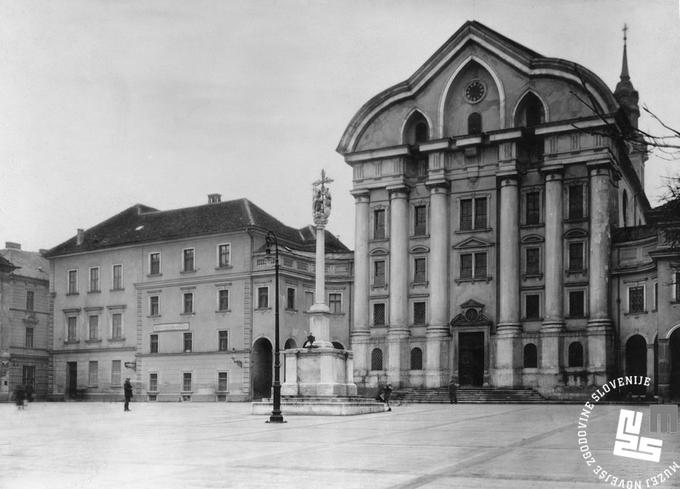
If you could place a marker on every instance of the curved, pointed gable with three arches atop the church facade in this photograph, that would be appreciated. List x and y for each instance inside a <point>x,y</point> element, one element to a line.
<point>507,69</point>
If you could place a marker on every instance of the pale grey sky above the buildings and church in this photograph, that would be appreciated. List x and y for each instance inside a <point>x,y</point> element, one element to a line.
<point>105,104</point>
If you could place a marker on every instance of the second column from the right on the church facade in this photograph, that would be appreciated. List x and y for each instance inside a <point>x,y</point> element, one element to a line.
<point>553,323</point>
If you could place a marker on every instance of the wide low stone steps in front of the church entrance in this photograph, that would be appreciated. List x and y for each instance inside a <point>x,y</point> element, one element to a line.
<point>470,395</point>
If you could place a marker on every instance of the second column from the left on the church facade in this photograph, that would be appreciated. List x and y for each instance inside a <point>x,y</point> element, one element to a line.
<point>399,268</point>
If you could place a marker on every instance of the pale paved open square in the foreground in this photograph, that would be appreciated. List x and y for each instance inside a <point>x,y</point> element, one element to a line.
<point>217,445</point>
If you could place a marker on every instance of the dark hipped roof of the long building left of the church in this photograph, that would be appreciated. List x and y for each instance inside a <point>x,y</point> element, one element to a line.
<point>142,224</point>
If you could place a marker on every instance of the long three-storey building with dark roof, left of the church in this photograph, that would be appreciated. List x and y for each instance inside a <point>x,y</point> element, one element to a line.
<point>182,302</point>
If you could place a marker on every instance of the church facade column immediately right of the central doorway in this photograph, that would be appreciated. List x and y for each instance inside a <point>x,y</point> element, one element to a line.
<point>509,329</point>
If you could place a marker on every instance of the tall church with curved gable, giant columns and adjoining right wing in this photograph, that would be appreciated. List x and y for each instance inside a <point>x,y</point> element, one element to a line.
<point>503,236</point>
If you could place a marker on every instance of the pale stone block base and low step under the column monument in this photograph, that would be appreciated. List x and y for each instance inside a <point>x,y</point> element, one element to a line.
<point>319,381</point>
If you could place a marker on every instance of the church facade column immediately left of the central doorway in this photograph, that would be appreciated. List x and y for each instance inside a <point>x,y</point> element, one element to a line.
<point>438,327</point>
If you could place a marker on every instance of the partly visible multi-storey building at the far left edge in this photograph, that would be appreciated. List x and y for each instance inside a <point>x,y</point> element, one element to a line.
<point>24,319</point>
